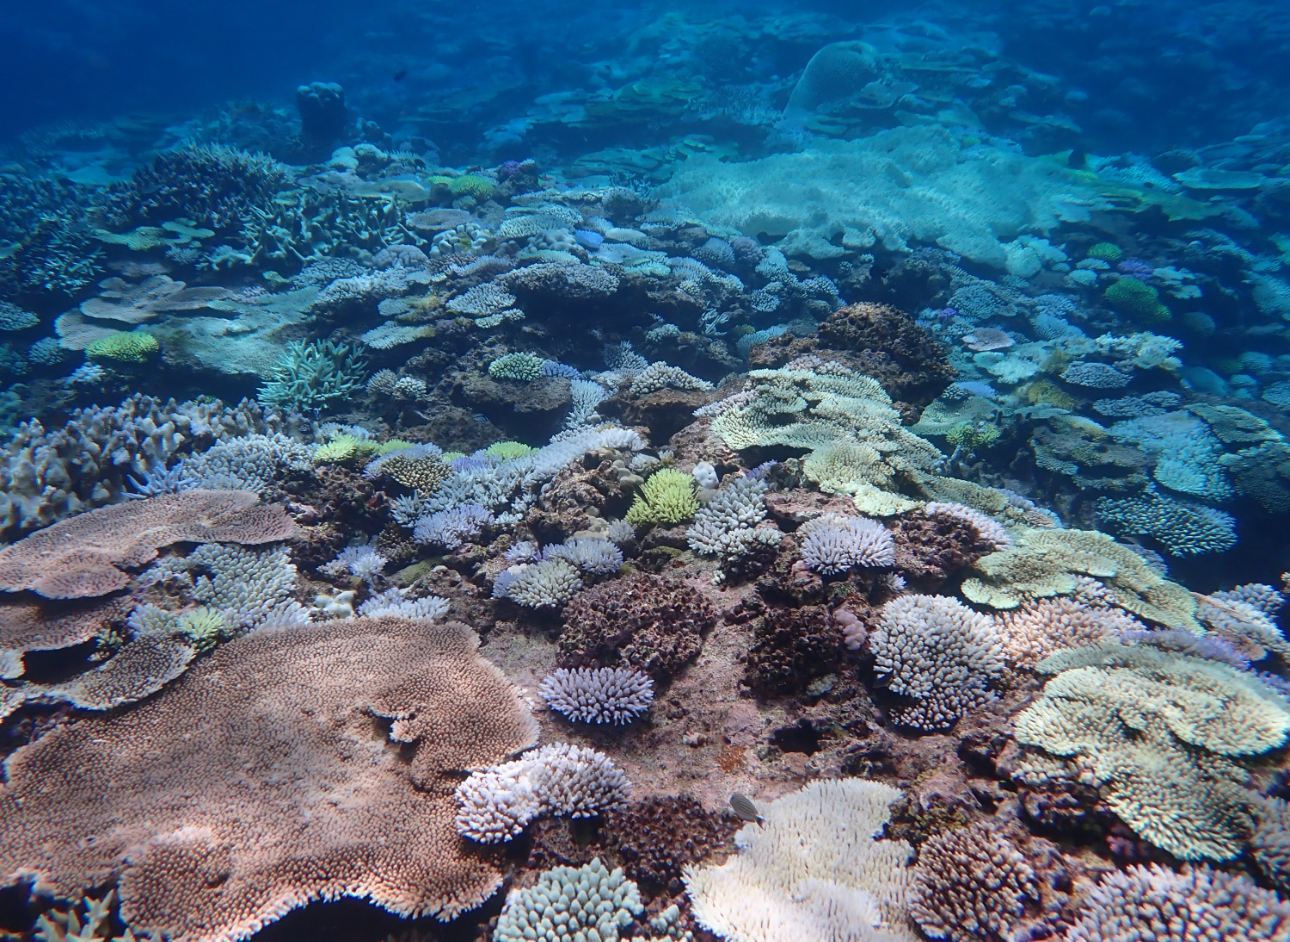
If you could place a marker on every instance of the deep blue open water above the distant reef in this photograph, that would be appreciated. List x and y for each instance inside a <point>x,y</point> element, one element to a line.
<point>1144,74</point>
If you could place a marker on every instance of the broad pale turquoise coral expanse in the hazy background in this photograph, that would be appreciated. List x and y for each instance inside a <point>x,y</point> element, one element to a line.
<point>896,188</point>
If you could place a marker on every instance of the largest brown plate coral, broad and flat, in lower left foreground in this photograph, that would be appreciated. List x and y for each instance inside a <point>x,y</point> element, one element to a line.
<point>300,801</point>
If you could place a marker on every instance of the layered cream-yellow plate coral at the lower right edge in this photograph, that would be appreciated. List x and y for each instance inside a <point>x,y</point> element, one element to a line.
<point>1164,735</point>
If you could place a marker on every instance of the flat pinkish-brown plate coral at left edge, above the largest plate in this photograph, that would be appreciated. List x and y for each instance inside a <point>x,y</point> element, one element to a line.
<point>87,556</point>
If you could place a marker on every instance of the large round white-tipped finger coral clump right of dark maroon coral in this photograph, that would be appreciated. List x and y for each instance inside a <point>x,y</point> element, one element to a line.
<point>938,654</point>
